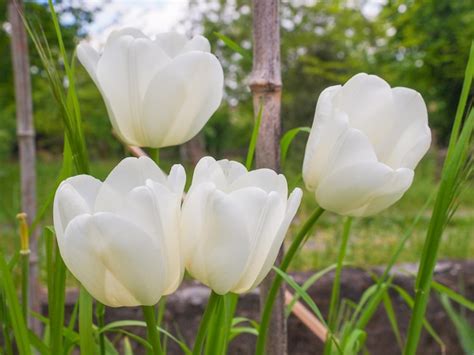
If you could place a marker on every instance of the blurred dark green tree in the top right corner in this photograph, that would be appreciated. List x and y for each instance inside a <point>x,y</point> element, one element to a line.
<point>426,46</point>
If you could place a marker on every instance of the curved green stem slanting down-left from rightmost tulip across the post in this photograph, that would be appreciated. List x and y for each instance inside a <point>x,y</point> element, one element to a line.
<point>267,311</point>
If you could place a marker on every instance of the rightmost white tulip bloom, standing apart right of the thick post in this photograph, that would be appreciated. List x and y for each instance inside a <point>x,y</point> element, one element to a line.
<point>365,143</point>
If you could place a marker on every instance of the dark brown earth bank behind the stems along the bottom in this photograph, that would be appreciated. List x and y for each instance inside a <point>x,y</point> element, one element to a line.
<point>185,307</point>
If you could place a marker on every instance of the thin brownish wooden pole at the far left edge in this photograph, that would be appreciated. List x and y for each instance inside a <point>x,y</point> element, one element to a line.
<point>26,141</point>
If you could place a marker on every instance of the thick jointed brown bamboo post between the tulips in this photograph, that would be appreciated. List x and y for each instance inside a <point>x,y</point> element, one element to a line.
<point>265,83</point>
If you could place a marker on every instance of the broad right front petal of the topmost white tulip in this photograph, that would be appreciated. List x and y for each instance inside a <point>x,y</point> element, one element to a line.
<point>181,98</point>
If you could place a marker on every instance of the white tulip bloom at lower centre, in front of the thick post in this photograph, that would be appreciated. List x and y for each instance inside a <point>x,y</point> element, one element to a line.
<point>234,223</point>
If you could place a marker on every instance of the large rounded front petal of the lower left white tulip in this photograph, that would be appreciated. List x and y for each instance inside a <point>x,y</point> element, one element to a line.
<point>115,268</point>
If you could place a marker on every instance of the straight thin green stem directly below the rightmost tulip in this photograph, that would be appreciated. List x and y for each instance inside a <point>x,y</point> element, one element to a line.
<point>336,287</point>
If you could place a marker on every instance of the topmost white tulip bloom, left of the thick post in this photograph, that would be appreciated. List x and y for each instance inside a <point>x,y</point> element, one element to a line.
<point>158,92</point>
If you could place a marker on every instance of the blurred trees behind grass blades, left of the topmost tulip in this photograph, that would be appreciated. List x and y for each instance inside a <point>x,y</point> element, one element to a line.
<point>74,19</point>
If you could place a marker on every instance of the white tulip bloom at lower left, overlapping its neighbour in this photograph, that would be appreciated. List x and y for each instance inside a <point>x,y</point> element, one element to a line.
<point>119,237</point>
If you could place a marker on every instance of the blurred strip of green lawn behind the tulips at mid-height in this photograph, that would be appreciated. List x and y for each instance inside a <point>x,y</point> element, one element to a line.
<point>372,241</point>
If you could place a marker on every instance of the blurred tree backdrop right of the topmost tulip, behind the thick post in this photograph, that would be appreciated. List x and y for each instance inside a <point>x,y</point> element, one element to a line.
<point>419,44</point>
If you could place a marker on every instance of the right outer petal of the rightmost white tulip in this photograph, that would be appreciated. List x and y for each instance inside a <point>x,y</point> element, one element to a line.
<point>411,135</point>
